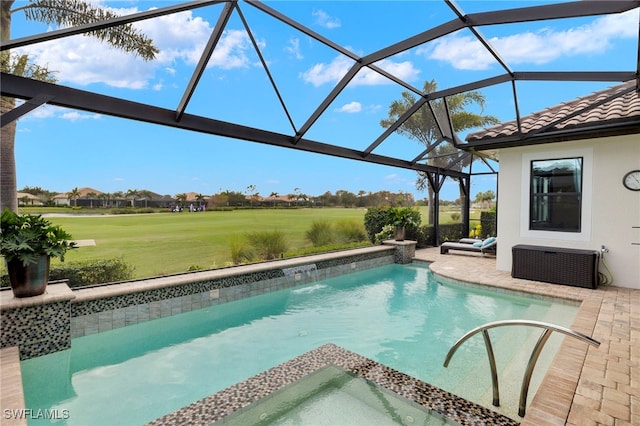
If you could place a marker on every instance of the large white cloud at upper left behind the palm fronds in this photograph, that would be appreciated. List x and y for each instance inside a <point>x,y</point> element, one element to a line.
<point>180,37</point>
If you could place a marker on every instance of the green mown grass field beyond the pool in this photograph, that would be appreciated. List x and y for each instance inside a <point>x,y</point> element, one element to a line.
<point>166,243</point>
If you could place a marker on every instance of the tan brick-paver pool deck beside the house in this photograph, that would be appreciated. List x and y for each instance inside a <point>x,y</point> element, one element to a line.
<point>585,385</point>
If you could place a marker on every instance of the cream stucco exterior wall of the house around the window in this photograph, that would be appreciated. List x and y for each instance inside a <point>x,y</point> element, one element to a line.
<point>610,212</point>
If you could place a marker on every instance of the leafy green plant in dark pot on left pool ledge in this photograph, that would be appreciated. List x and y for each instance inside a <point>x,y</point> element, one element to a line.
<point>27,244</point>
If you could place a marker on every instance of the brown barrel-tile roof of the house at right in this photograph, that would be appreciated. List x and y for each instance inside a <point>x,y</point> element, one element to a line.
<point>615,110</point>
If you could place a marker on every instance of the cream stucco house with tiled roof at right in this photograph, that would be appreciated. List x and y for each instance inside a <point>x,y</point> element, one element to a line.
<point>561,179</point>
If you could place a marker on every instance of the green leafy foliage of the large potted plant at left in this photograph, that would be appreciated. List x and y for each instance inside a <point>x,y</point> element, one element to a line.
<point>27,237</point>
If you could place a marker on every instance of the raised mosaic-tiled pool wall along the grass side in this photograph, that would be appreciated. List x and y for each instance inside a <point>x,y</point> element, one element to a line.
<point>58,321</point>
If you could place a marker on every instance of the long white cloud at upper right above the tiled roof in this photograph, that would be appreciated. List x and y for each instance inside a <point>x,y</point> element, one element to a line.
<point>538,47</point>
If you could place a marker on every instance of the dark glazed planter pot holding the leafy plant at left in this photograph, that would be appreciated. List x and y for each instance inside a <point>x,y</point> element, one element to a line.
<point>30,280</point>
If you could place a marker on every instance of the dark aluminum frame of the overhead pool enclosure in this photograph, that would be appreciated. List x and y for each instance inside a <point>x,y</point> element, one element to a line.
<point>37,93</point>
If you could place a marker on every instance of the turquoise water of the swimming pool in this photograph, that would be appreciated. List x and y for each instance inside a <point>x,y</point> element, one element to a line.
<point>397,315</point>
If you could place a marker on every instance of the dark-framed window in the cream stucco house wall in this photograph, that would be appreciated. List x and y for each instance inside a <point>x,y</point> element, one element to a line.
<point>556,195</point>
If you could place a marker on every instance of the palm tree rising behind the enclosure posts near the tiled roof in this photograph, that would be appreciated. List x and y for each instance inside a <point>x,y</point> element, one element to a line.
<point>422,127</point>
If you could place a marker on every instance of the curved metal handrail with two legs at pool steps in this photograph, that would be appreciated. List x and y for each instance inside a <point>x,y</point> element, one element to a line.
<point>548,329</point>
